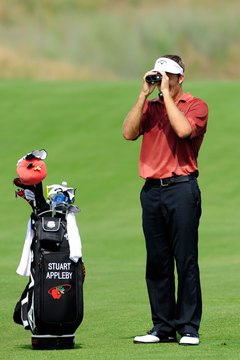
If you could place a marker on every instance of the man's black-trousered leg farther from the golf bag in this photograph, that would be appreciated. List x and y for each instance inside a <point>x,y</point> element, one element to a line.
<point>184,209</point>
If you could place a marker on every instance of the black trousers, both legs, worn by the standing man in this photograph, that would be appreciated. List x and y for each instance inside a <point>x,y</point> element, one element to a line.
<point>170,219</point>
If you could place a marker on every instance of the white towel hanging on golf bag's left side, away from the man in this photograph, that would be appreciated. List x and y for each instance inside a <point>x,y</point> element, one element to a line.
<point>25,262</point>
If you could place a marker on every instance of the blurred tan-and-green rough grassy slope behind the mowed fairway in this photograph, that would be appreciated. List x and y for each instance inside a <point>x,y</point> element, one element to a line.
<point>105,39</point>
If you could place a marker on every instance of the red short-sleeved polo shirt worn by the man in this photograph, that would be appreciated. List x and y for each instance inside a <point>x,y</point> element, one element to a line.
<point>163,154</point>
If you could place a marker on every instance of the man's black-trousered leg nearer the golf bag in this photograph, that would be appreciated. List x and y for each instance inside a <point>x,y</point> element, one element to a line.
<point>160,262</point>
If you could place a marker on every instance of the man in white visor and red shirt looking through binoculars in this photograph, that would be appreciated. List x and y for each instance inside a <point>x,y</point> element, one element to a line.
<point>172,129</point>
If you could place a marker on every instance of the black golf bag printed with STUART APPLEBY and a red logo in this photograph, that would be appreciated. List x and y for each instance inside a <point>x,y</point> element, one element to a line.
<point>51,306</point>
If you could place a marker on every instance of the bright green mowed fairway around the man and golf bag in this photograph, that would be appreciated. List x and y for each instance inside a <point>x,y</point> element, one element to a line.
<point>79,124</point>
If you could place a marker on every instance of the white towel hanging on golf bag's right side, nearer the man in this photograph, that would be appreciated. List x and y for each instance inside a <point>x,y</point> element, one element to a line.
<point>74,238</point>
